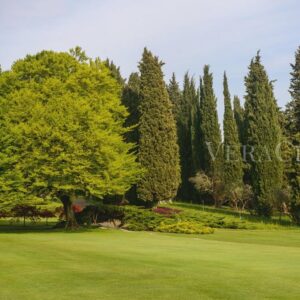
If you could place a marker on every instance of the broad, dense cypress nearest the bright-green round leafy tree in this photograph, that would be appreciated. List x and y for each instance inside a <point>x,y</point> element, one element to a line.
<point>158,148</point>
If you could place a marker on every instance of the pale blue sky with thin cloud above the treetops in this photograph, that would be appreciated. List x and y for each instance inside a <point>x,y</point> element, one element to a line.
<point>185,34</point>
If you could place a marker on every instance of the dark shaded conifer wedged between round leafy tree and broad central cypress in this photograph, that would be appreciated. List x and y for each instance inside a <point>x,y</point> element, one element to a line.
<point>131,100</point>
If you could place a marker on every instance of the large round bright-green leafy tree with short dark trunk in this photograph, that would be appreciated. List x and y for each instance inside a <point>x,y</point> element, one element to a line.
<point>62,131</point>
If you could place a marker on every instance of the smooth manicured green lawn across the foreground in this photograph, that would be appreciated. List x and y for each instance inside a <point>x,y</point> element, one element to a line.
<point>114,264</point>
